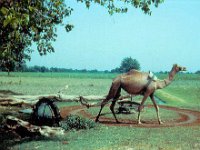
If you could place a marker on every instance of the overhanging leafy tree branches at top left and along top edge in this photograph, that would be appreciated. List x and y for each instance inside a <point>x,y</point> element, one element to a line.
<point>25,22</point>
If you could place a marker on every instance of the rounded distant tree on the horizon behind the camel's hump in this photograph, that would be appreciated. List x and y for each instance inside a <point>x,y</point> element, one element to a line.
<point>127,64</point>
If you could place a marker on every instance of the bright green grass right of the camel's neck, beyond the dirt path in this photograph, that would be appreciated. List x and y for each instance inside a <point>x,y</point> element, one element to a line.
<point>183,92</point>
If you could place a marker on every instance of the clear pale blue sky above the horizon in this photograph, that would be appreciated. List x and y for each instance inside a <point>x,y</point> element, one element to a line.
<point>100,41</point>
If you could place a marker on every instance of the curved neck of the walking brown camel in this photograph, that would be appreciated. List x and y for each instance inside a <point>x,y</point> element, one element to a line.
<point>163,83</point>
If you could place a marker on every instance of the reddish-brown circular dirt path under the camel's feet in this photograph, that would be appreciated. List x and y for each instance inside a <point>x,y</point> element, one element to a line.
<point>186,118</point>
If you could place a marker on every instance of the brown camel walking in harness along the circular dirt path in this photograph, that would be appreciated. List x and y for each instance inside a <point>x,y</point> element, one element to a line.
<point>138,83</point>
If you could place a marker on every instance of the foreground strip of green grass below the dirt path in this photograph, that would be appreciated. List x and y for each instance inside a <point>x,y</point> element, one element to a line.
<point>107,138</point>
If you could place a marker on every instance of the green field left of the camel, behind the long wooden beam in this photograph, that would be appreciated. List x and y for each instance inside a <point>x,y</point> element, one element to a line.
<point>45,84</point>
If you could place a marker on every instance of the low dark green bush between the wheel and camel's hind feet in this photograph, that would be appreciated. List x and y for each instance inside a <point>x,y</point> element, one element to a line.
<point>77,122</point>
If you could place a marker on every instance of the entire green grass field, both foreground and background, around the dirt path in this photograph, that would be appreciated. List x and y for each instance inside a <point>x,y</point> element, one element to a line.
<point>184,92</point>
